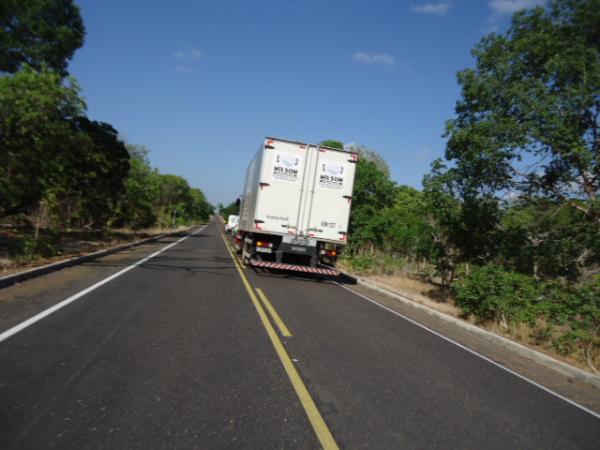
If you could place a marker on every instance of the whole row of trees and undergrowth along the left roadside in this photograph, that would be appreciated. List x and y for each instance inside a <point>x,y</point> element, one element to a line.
<point>63,174</point>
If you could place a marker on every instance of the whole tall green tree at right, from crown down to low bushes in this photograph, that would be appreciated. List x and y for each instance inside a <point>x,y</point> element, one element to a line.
<point>526,127</point>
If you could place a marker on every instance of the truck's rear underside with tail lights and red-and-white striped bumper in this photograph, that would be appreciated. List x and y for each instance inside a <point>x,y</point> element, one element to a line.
<point>288,253</point>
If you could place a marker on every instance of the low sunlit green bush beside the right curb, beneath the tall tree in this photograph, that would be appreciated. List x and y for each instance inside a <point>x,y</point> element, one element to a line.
<point>571,312</point>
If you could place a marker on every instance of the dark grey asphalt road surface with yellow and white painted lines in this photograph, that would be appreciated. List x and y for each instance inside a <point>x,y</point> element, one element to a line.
<point>182,351</point>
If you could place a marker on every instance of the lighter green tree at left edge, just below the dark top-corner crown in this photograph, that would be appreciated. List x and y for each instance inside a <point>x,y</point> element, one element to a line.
<point>37,112</point>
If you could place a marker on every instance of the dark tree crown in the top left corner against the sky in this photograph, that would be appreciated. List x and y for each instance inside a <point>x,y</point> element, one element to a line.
<point>39,33</point>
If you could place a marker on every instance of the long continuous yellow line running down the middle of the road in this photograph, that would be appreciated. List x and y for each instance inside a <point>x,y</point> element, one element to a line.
<point>310,408</point>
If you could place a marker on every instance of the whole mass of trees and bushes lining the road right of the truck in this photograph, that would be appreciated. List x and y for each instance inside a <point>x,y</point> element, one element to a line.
<point>508,225</point>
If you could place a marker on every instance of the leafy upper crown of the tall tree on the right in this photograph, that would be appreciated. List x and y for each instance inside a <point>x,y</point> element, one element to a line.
<point>528,118</point>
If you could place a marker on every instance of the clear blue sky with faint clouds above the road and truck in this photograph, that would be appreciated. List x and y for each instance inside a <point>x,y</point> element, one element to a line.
<point>200,83</point>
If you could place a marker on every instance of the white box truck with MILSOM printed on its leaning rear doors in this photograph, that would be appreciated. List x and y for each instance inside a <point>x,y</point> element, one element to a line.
<point>295,207</point>
